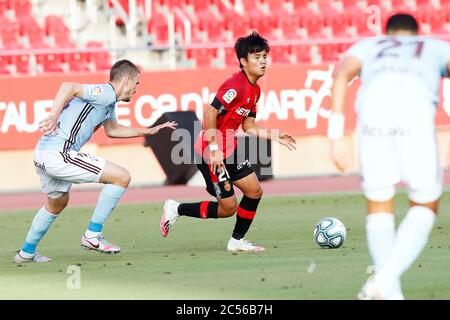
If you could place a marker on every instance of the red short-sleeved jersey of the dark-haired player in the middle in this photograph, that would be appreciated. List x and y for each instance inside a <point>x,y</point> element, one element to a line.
<point>235,100</point>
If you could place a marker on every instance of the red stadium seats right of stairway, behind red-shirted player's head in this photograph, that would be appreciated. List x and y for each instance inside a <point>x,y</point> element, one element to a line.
<point>285,20</point>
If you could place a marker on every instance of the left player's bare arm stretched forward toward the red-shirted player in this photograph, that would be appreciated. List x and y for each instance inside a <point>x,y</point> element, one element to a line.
<point>115,130</point>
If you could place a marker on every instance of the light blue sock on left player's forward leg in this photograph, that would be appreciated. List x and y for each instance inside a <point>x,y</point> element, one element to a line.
<point>107,201</point>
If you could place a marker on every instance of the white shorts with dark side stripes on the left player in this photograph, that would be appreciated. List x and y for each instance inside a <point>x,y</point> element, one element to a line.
<point>58,170</point>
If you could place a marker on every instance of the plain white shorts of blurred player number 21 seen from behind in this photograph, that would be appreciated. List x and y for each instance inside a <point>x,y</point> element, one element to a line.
<point>391,155</point>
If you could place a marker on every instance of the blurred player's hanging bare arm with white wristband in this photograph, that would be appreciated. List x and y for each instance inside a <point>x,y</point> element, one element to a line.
<point>348,69</point>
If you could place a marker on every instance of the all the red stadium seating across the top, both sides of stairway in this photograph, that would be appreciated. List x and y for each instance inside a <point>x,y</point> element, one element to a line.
<point>207,28</point>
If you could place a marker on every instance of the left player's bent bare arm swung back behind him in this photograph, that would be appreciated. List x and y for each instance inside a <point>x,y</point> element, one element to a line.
<point>66,91</point>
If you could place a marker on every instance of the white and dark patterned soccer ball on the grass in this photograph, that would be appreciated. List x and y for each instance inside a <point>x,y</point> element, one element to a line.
<point>329,233</point>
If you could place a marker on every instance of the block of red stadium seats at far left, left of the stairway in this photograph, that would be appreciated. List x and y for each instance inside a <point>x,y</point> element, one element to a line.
<point>20,31</point>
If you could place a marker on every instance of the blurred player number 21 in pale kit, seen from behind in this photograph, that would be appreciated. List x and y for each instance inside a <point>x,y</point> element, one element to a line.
<point>396,103</point>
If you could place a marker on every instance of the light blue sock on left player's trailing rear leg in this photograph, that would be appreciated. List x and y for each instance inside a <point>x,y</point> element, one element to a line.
<point>41,223</point>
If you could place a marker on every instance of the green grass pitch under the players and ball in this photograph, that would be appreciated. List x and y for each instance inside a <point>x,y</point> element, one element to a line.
<point>192,263</point>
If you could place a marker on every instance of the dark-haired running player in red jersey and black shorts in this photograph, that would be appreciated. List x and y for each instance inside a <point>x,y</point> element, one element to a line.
<point>221,165</point>
